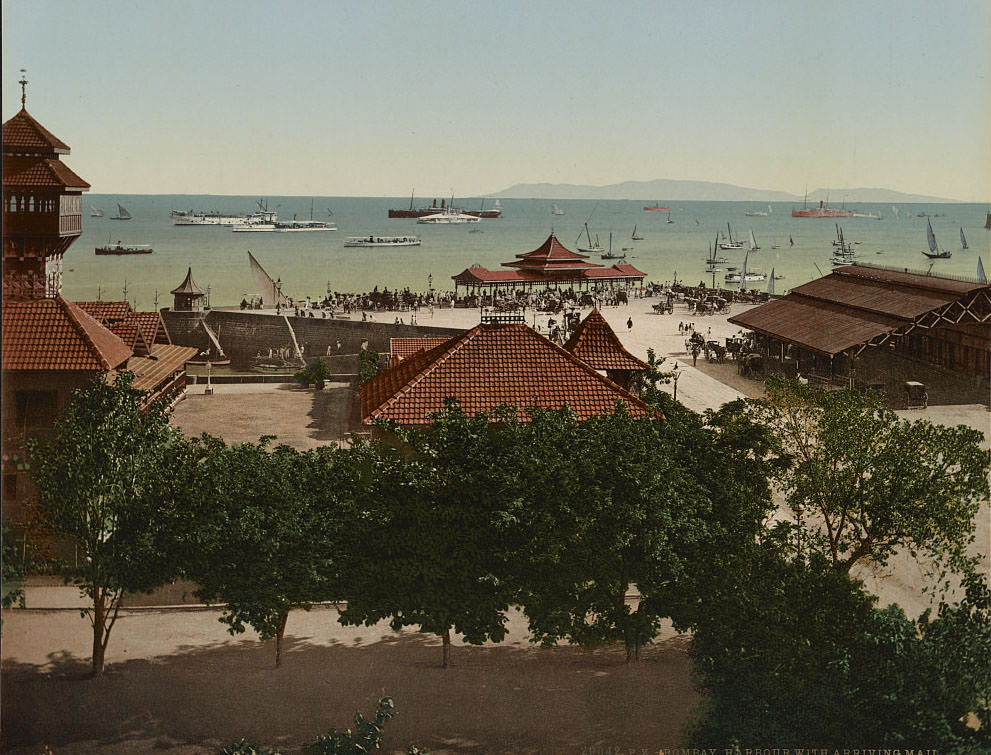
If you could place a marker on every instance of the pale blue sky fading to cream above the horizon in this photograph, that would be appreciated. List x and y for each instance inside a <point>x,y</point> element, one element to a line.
<point>384,98</point>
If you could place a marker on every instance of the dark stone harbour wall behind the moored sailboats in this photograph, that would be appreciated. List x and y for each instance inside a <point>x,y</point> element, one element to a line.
<point>243,335</point>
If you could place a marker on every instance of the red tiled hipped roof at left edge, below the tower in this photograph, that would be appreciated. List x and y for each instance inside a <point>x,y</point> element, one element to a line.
<point>55,334</point>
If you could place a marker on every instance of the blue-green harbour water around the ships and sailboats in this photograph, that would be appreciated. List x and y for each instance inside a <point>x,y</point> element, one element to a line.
<point>675,244</point>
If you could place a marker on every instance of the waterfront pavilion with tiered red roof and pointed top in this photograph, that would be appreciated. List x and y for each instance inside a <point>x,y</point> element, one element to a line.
<point>550,264</point>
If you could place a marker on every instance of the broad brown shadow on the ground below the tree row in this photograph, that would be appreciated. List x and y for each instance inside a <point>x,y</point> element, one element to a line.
<point>495,699</point>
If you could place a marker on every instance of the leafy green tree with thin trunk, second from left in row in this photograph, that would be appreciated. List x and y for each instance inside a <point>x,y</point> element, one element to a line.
<point>259,538</point>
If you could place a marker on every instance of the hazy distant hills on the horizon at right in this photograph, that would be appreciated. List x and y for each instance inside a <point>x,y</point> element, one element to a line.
<point>663,189</point>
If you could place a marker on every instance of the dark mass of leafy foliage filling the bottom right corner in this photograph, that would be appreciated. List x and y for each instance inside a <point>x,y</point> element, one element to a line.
<point>793,652</point>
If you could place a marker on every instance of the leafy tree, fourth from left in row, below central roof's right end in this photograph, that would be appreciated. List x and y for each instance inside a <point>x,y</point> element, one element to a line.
<point>611,511</point>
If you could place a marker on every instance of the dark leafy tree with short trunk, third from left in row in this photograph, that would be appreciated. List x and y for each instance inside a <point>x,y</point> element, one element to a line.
<point>430,532</point>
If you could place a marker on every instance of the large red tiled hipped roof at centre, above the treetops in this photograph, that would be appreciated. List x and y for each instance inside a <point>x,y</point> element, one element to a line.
<point>488,366</point>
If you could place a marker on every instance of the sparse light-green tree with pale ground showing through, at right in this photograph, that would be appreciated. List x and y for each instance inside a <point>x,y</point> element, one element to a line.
<point>863,484</point>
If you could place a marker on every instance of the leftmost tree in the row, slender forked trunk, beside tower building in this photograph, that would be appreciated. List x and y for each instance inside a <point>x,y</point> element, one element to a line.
<point>104,482</point>
